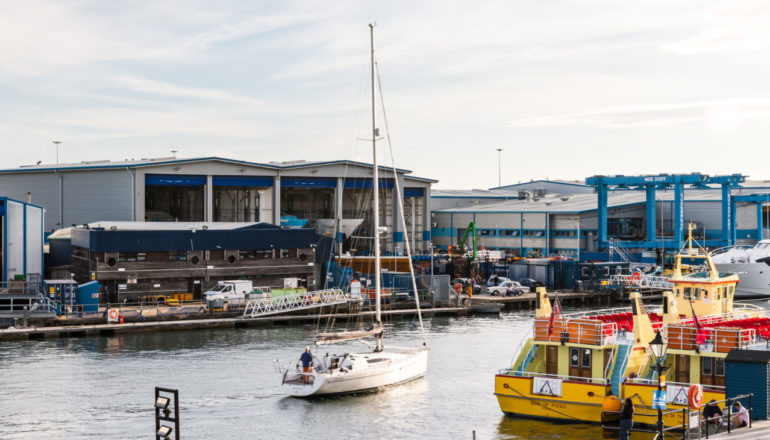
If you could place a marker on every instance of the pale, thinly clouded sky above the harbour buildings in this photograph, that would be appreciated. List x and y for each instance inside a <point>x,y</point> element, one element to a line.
<point>567,89</point>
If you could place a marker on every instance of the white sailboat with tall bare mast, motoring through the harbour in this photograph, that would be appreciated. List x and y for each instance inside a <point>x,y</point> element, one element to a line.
<point>380,367</point>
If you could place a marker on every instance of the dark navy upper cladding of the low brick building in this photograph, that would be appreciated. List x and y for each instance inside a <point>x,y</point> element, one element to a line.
<point>157,241</point>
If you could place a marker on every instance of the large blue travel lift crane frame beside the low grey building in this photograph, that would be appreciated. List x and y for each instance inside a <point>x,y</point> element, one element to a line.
<point>652,183</point>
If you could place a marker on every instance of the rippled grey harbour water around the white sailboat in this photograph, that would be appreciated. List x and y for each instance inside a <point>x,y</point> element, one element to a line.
<point>103,387</point>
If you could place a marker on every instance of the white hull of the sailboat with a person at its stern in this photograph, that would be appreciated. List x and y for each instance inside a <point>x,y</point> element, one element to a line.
<point>360,372</point>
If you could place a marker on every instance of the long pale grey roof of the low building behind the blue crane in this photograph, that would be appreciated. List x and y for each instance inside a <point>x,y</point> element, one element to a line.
<point>588,202</point>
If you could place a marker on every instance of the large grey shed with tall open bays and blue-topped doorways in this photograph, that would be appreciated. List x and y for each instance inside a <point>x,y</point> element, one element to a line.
<point>214,189</point>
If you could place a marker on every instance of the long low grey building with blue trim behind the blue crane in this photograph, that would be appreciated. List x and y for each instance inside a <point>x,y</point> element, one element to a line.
<point>549,223</point>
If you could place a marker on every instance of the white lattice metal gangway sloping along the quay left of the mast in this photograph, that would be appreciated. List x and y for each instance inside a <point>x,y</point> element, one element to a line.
<point>289,303</point>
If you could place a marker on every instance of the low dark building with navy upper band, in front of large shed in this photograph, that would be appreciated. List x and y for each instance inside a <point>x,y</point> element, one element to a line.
<point>134,260</point>
